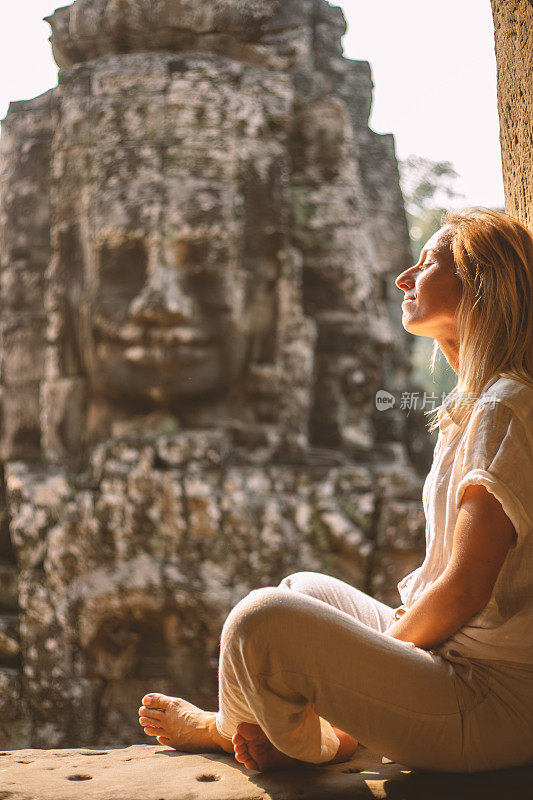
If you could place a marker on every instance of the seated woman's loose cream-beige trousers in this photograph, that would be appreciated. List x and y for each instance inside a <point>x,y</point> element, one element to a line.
<point>312,653</point>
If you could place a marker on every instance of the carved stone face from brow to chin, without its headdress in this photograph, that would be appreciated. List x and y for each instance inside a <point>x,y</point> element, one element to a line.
<point>160,317</point>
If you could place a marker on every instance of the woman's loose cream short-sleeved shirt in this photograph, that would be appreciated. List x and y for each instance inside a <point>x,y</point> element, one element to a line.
<point>495,449</point>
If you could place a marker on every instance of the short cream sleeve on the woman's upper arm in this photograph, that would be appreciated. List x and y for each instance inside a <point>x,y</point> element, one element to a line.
<point>498,454</point>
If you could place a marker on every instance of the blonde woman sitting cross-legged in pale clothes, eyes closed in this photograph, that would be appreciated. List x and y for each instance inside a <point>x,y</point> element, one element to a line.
<point>445,681</point>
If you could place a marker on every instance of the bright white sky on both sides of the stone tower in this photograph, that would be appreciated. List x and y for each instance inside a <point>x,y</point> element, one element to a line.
<point>433,67</point>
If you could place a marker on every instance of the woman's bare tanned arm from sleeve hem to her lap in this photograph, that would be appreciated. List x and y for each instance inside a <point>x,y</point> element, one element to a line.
<point>482,537</point>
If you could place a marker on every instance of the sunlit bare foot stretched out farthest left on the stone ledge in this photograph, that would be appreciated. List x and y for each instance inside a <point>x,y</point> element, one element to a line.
<point>177,723</point>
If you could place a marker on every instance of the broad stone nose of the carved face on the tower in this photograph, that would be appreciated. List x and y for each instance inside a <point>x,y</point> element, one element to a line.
<point>162,303</point>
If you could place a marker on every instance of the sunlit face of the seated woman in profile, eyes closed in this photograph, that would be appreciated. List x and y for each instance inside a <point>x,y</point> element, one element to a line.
<point>432,290</point>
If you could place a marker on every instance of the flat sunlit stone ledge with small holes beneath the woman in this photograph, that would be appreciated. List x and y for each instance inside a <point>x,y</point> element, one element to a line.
<point>144,772</point>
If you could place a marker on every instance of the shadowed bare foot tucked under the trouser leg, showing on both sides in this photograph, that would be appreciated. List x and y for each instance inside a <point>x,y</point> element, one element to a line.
<point>255,751</point>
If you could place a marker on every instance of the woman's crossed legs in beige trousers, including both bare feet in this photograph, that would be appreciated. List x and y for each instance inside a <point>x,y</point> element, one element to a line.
<point>297,660</point>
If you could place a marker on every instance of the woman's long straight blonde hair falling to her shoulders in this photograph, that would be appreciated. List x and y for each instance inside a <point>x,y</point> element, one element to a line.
<point>493,256</point>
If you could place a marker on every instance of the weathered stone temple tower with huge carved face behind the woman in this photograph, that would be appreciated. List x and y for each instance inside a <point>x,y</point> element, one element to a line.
<point>199,239</point>
